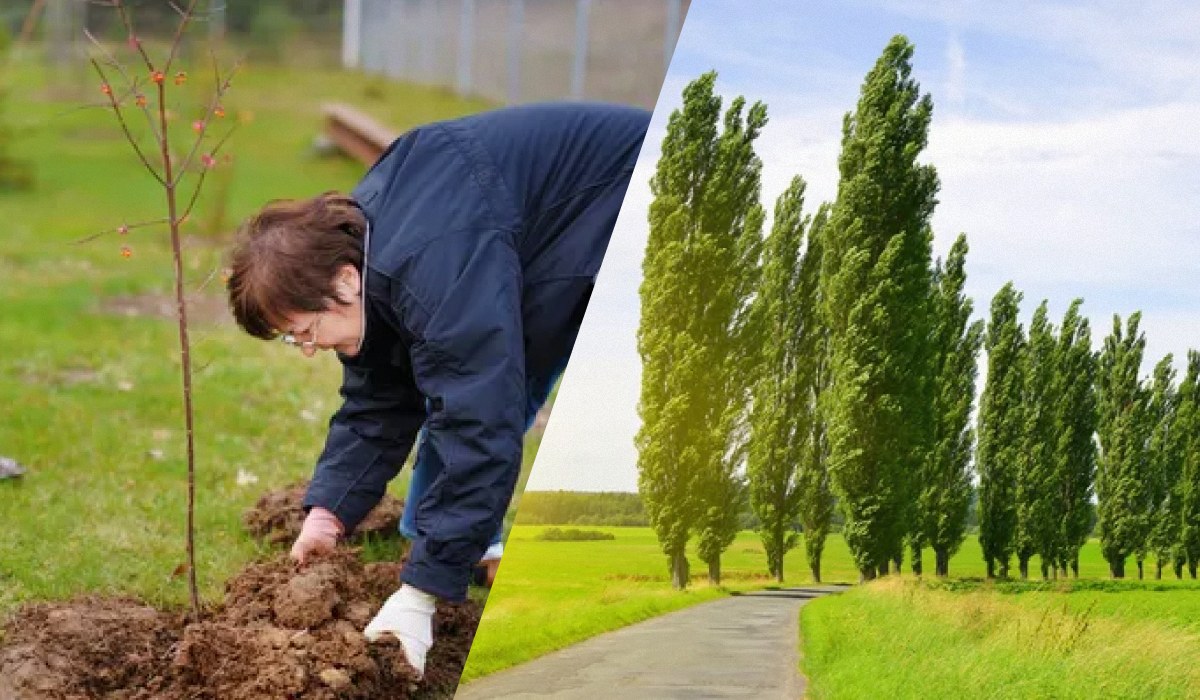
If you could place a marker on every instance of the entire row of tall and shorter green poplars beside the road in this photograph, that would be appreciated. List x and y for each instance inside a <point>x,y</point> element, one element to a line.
<point>832,364</point>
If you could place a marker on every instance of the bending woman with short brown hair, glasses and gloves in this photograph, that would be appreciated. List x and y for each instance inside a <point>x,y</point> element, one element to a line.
<point>452,284</point>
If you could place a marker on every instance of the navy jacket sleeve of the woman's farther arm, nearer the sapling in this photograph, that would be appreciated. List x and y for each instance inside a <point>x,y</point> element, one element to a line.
<point>369,440</point>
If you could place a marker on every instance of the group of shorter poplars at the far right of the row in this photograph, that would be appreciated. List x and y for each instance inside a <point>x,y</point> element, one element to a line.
<point>1060,424</point>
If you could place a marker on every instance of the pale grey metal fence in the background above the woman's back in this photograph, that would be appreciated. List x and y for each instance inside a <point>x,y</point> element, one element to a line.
<point>519,51</point>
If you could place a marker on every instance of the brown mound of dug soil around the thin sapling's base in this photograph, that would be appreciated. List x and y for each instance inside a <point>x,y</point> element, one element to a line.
<point>281,635</point>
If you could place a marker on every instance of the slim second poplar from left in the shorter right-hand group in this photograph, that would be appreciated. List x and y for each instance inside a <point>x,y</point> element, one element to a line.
<point>1036,504</point>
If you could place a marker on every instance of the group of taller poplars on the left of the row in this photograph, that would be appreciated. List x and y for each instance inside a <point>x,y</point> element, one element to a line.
<point>832,360</point>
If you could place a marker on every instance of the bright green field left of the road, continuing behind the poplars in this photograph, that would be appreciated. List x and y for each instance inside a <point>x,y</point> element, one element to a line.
<point>551,595</point>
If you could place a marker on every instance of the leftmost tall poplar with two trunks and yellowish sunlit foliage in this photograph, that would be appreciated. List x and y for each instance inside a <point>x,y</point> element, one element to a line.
<point>700,273</point>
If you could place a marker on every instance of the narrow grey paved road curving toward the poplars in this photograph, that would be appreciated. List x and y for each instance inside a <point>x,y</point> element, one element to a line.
<point>745,647</point>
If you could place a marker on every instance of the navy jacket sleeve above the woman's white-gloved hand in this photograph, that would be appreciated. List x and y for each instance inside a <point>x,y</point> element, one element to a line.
<point>463,301</point>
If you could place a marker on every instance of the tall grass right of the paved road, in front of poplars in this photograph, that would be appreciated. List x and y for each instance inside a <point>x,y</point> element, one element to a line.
<point>1095,639</point>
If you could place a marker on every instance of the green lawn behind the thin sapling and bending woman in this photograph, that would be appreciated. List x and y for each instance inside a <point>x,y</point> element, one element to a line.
<point>91,398</point>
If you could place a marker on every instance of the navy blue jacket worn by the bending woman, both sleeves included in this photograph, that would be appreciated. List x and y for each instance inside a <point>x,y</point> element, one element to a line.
<point>485,238</point>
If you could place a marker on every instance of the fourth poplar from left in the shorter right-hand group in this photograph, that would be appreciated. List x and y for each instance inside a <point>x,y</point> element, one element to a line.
<point>1123,480</point>
